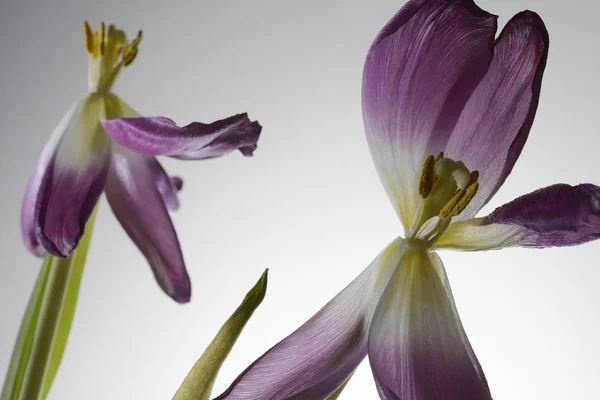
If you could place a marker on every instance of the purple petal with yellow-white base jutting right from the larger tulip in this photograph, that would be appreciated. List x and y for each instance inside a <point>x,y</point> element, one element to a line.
<point>557,215</point>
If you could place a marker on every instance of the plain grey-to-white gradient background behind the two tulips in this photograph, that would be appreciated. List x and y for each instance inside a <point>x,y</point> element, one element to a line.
<point>308,206</point>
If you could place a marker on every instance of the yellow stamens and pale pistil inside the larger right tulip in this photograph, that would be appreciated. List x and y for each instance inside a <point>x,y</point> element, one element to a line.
<point>446,188</point>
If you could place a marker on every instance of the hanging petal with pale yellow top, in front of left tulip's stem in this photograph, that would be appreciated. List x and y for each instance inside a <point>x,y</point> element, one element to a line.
<point>73,180</point>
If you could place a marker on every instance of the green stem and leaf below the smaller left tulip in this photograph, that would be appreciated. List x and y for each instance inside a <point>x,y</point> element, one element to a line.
<point>46,324</point>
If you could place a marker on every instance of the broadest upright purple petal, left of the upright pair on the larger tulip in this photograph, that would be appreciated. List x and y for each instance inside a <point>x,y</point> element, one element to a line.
<point>418,75</point>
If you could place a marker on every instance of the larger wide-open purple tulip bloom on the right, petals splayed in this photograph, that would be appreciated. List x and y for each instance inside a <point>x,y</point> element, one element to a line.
<point>447,109</point>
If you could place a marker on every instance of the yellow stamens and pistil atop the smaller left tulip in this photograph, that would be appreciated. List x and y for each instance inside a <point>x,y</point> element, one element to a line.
<point>108,51</point>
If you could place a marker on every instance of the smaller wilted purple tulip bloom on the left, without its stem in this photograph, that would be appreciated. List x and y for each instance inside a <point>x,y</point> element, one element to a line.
<point>81,161</point>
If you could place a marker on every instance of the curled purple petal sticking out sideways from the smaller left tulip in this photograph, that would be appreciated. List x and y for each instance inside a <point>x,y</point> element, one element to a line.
<point>161,136</point>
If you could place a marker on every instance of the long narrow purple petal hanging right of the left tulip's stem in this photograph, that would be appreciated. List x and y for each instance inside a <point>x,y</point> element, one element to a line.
<point>138,205</point>
